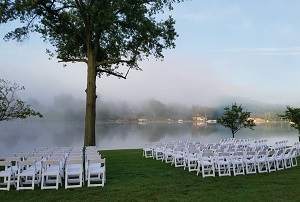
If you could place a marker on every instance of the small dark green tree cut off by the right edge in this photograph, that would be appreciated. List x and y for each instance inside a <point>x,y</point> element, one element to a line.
<point>293,115</point>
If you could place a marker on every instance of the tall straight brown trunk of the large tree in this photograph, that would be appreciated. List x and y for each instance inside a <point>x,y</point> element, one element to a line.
<point>90,112</point>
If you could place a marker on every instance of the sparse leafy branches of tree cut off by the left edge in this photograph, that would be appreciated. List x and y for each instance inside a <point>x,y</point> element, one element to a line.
<point>10,106</point>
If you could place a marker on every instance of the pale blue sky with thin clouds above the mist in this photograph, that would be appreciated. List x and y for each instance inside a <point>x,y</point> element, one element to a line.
<point>225,48</point>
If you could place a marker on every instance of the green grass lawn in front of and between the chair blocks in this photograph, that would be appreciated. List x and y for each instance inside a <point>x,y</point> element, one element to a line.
<point>130,177</point>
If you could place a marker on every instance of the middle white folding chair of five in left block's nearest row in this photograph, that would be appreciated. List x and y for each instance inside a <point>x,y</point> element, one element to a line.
<point>51,174</point>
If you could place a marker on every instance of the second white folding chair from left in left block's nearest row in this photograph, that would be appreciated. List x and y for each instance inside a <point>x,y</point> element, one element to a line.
<point>27,174</point>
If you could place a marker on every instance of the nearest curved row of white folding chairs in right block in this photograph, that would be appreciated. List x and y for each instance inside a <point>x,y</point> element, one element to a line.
<point>241,162</point>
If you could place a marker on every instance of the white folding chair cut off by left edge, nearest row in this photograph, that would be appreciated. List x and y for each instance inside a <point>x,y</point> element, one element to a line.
<point>7,175</point>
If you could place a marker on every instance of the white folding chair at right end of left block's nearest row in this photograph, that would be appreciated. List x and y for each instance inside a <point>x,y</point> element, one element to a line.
<point>96,172</point>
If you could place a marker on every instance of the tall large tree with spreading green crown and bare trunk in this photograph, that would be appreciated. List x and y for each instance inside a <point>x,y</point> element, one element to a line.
<point>111,37</point>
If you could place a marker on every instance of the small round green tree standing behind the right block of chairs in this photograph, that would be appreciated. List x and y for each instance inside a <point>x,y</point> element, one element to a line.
<point>235,118</point>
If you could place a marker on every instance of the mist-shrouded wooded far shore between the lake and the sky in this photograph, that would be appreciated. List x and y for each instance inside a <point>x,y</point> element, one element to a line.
<point>66,107</point>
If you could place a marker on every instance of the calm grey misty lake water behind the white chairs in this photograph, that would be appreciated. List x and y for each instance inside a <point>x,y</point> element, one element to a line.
<point>19,136</point>
